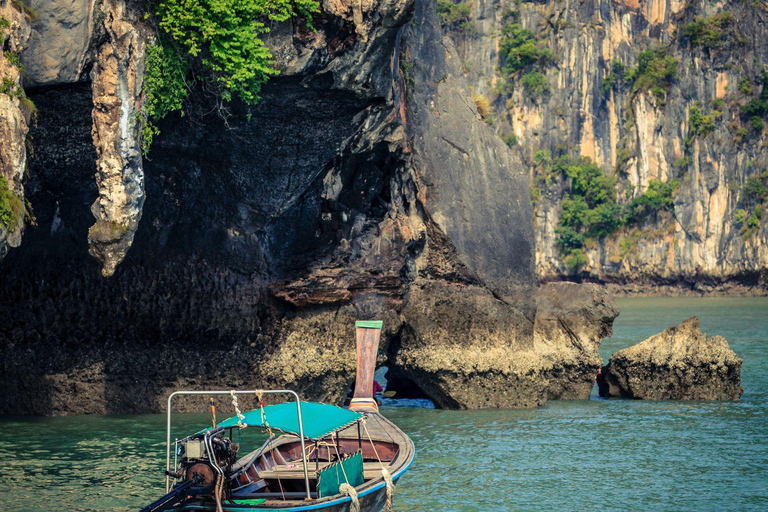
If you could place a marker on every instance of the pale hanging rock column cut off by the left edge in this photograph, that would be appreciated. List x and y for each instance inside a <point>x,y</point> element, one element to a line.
<point>15,116</point>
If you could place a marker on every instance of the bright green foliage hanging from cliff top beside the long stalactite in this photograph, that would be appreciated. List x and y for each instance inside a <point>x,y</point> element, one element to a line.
<point>218,43</point>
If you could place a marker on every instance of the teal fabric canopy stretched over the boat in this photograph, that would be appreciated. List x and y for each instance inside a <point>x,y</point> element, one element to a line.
<point>319,420</point>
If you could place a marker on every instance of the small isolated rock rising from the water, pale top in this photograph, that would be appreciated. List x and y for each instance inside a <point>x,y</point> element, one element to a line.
<point>680,363</point>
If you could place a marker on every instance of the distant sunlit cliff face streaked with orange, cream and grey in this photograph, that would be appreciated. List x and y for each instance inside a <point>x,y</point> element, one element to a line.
<point>699,246</point>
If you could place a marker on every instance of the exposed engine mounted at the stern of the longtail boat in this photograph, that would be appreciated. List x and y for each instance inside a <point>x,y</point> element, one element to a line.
<point>207,456</point>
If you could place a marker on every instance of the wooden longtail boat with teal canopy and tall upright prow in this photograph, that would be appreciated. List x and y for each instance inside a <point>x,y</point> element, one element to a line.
<point>326,459</point>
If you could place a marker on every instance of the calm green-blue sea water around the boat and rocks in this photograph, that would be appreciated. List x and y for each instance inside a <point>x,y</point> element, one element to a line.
<point>585,455</point>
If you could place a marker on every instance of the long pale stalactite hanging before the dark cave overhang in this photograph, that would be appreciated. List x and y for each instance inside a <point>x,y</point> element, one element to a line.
<point>118,78</point>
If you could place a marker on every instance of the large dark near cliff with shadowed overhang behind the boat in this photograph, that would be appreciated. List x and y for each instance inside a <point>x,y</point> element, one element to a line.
<point>364,185</point>
